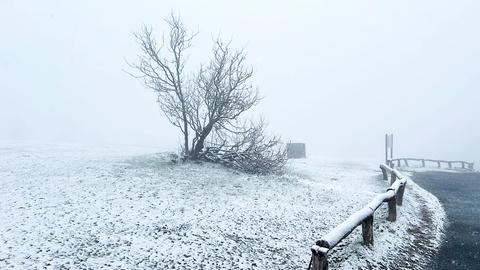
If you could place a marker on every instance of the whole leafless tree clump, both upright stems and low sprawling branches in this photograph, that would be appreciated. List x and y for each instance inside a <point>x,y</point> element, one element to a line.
<point>209,104</point>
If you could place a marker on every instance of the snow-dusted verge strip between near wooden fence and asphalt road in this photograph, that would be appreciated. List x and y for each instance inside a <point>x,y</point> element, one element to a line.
<point>408,244</point>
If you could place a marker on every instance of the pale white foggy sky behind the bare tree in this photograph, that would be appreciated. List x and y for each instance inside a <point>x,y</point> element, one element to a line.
<point>336,75</point>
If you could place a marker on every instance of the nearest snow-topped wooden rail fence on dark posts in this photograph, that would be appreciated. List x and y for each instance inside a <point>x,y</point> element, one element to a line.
<point>393,196</point>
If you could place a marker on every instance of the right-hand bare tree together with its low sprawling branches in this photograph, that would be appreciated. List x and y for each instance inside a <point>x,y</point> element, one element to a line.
<point>223,92</point>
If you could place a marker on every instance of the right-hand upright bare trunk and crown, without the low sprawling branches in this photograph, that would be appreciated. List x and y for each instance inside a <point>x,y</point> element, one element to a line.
<point>223,93</point>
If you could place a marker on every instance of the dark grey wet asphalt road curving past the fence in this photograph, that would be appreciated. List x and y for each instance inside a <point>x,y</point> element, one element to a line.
<point>460,195</point>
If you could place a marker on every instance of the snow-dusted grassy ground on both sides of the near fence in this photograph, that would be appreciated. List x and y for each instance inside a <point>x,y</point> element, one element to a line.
<point>67,207</point>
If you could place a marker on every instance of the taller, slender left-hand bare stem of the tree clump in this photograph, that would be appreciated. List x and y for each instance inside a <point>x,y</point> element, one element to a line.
<point>161,67</point>
